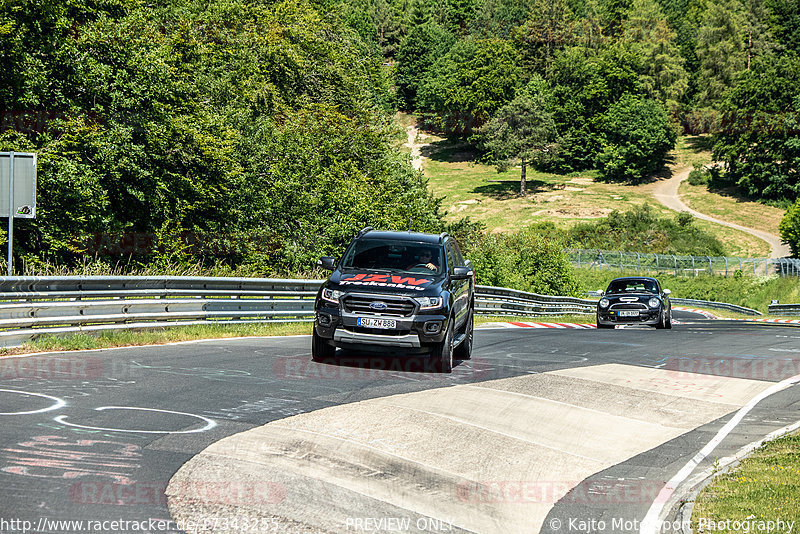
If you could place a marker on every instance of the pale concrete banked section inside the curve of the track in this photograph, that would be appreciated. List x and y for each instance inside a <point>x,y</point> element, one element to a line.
<point>428,457</point>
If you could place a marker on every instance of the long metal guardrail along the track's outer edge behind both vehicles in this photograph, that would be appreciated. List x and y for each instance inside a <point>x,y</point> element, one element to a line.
<point>32,306</point>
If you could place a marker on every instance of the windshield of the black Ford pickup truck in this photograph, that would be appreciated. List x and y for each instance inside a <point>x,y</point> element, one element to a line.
<point>407,256</point>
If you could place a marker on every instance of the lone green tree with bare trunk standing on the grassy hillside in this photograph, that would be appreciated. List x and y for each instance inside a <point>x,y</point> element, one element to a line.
<point>522,130</point>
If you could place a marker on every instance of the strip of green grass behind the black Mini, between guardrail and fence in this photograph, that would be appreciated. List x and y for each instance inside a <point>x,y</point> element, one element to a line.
<point>754,292</point>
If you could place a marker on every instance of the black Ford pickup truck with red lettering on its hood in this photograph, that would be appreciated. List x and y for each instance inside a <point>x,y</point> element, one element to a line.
<point>401,292</point>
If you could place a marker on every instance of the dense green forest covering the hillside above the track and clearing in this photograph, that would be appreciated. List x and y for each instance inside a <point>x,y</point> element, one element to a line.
<point>258,135</point>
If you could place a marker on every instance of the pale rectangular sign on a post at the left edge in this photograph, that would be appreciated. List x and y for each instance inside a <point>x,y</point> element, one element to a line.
<point>17,192</point>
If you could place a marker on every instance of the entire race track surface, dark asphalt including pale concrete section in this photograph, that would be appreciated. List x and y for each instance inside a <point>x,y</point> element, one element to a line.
<point>544,430</point>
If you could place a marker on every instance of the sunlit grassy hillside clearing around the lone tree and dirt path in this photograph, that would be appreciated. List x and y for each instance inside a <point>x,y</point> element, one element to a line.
<point>476,190</point>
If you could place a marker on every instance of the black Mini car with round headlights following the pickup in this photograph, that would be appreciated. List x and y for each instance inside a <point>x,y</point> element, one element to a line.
<point>634,300</point>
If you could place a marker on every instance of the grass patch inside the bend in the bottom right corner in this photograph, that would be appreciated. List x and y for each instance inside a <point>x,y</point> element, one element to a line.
<point>764,487</point>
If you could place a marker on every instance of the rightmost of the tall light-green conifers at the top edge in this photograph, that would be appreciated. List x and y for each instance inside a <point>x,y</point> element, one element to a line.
<point>720,50</point>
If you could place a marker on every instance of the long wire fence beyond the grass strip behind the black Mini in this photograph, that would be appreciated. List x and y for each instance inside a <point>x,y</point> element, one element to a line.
<point>682,265</point>
